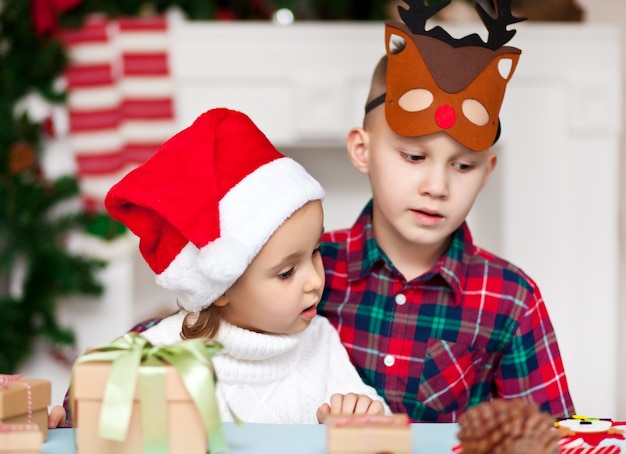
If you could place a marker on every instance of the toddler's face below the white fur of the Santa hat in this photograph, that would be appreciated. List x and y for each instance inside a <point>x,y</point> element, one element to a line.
<point>280,290</point>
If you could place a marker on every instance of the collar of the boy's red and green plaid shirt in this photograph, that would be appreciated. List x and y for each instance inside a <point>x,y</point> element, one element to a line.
<point>363,254</point>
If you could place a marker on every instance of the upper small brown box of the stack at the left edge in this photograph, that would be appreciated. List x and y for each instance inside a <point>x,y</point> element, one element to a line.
<point>25,400</point>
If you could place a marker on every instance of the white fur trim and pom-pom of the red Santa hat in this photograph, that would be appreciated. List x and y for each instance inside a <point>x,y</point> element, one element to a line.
<point>249,214</point>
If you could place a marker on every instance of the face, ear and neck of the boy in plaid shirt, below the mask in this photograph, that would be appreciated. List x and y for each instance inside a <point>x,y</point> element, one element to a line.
<point>423,187</point>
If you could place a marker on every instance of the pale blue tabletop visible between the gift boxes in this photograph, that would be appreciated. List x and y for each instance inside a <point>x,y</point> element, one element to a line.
<point>428,438</point>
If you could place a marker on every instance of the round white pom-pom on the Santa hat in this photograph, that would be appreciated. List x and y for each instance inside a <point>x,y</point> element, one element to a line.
<point>223,260</point>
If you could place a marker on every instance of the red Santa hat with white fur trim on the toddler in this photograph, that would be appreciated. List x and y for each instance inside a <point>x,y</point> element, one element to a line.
<point>205,204</point>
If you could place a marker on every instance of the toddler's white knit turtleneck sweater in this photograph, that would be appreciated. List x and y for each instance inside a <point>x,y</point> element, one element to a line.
<point>280,379</point>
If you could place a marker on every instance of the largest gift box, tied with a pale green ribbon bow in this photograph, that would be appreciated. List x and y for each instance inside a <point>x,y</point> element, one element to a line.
<point>131,397</point>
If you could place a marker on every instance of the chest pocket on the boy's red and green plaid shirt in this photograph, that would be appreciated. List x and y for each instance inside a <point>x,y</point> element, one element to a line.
<point>448,375</point>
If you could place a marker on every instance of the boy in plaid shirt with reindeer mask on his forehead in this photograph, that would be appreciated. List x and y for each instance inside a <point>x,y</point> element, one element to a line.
<point>434,323</point>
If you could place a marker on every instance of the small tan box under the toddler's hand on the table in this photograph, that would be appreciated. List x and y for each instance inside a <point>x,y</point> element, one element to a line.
<point>368,434</point>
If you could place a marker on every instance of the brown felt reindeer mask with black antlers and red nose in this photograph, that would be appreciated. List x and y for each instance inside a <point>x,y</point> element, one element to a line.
<point>440,83</point>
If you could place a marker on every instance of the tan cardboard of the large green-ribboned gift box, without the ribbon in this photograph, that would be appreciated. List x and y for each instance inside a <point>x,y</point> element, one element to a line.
<point>186,432</point>
